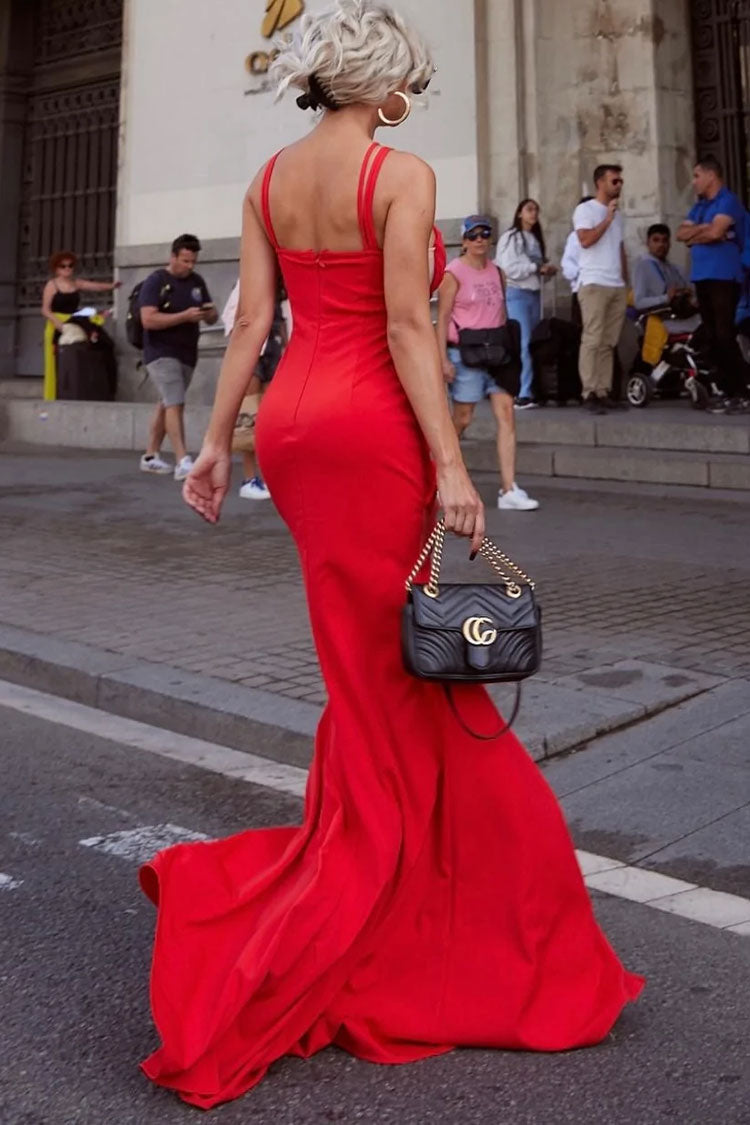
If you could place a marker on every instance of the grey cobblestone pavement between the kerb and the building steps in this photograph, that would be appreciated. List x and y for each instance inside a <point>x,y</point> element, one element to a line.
<point>96,553</point>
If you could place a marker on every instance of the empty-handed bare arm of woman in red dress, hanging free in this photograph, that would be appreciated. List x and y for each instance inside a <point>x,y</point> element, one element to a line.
<point>207,485</point>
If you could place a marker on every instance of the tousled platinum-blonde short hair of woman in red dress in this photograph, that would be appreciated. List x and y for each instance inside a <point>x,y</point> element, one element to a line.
<point>359,52</point>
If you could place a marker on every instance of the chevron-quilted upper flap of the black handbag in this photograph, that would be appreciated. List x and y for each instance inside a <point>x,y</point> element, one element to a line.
<point>458,602</point>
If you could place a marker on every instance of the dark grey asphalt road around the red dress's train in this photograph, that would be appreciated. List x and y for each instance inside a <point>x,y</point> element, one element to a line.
<point>75,950</point>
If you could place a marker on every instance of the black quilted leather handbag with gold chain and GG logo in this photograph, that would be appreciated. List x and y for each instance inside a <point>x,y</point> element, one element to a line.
<point>484,633</point>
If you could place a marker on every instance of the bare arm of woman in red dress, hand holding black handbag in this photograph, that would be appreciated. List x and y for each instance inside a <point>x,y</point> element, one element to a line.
<point>413,341</point>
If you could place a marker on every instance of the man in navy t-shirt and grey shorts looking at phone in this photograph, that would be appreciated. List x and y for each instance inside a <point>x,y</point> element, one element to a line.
<point>174,303</point>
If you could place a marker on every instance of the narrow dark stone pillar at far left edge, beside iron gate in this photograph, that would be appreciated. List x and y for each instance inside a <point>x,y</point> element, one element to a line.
<point>16,57</point>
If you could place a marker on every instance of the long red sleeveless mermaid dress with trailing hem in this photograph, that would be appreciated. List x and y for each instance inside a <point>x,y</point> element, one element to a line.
<point>431,898</point>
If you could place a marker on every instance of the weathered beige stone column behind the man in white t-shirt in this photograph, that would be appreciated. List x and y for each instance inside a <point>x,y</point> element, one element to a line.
<point>573,85</point>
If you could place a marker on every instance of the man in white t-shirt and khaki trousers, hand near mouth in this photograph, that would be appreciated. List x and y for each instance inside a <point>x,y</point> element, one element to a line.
<point>603,285</point>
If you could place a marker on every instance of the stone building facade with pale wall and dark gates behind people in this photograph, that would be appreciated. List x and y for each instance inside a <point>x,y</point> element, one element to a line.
<point>529,97</point>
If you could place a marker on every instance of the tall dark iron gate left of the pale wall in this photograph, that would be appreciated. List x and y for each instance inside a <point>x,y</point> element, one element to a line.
<point>70,158</point>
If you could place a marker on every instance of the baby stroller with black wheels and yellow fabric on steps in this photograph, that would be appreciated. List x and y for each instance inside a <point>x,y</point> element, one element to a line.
<point>670,365</point>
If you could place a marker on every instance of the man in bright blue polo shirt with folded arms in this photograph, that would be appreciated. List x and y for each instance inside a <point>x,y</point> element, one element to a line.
<point>716,232</point>
